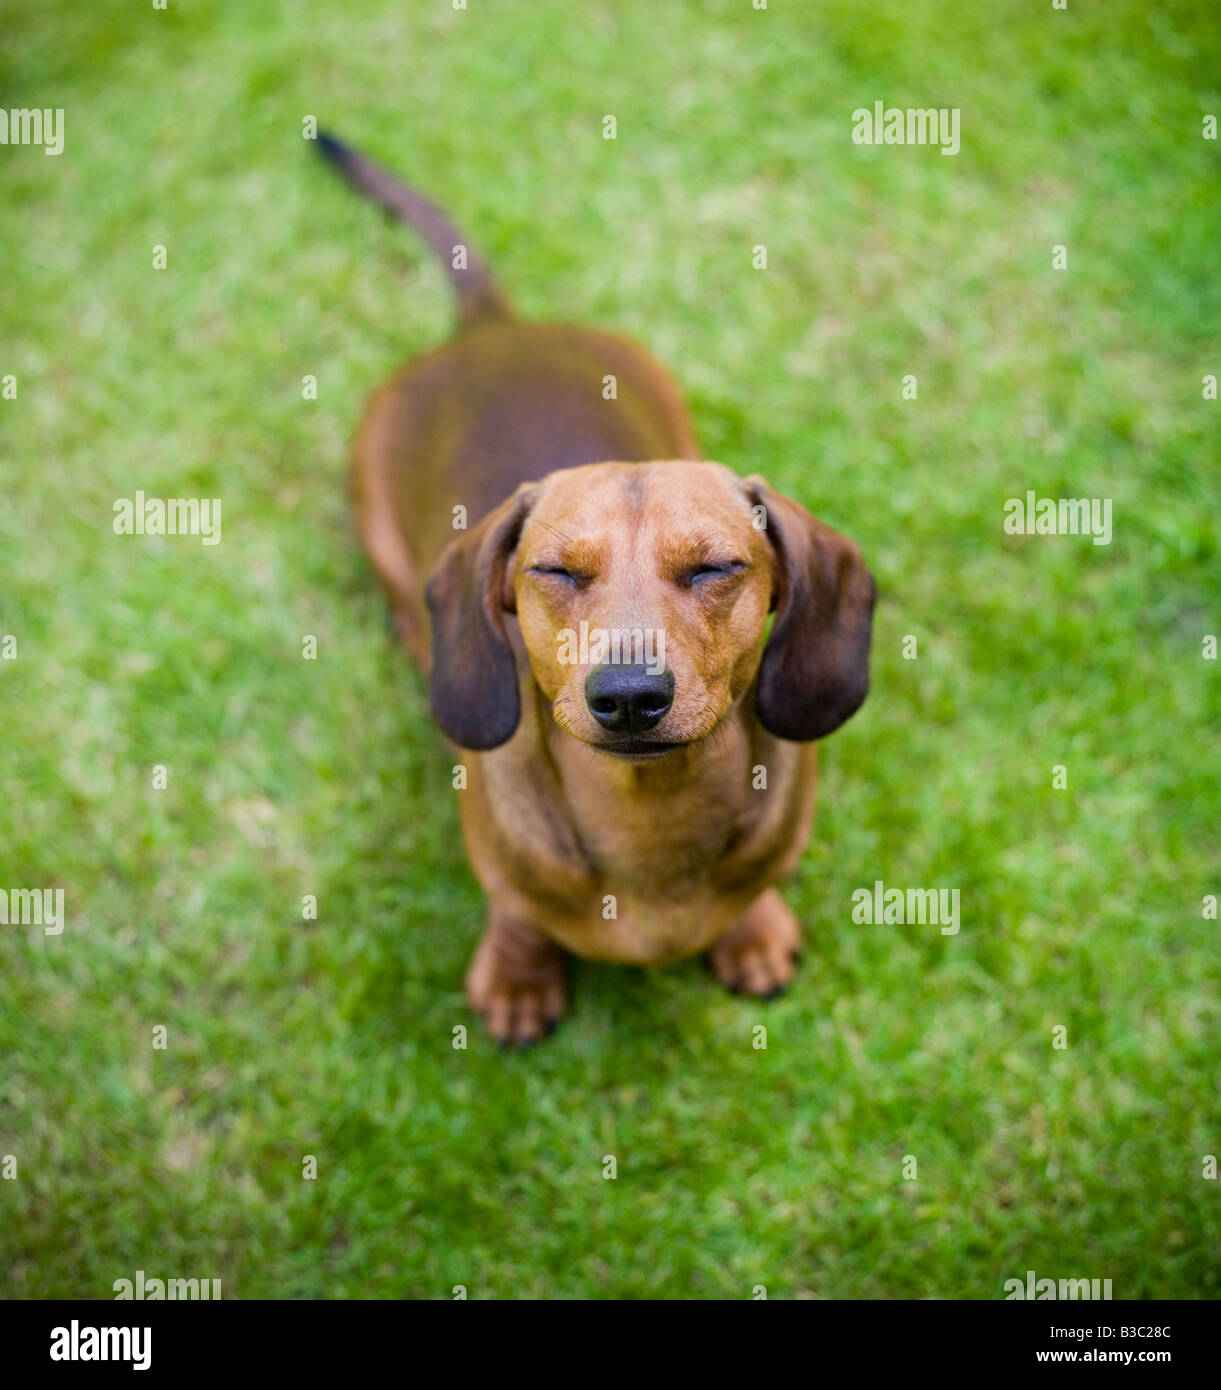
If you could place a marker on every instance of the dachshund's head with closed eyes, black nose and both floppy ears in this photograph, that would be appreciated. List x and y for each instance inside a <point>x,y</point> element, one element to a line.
<point>643,593</point>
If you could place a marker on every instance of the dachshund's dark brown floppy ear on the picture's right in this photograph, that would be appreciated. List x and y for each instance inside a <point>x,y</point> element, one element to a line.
<point>816,668</point>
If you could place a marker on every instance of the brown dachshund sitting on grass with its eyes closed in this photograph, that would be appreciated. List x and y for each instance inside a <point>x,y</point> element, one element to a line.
<point>642,771</point>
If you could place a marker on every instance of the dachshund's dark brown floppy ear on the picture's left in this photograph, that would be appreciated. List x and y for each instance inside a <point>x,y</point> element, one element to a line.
<point>474,685</point>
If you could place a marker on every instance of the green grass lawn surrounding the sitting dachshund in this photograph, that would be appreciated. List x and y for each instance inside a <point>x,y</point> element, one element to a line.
<point>289,778</point>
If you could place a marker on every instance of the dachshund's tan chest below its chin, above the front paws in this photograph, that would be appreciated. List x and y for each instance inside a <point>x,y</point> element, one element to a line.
<point>639,868</point>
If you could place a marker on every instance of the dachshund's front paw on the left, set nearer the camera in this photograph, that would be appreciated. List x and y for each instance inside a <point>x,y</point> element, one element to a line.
<point>517,983</point>
